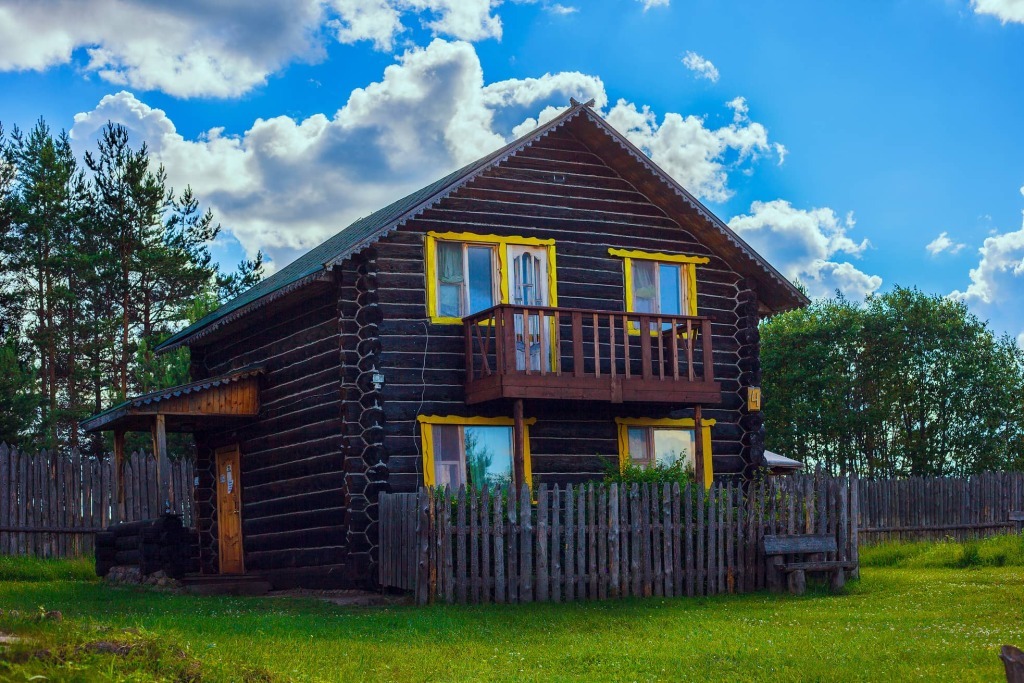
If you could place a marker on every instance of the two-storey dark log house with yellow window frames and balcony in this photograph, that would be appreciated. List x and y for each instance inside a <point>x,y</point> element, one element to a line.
<point>551,310</point>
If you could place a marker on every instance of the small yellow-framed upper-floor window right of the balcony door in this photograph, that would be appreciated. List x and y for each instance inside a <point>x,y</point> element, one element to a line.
<point>660,284</point>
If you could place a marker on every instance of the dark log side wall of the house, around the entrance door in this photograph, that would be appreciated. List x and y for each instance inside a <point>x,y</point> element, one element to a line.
<point>293,489</point>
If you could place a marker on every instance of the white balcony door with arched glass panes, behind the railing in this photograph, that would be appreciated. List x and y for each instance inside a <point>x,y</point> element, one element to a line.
<point>529,278</point>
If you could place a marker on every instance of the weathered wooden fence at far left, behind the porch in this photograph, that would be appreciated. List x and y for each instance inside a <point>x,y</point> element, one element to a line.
<point>52,504</point>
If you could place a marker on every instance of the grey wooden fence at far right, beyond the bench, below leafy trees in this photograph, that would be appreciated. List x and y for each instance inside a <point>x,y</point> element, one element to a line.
<point>934,508</point>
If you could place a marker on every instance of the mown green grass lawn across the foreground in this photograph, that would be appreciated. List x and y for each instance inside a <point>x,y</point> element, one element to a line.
<point>898,623</point>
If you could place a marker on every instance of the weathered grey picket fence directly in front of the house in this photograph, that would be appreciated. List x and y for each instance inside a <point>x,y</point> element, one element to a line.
<point>598,542</point>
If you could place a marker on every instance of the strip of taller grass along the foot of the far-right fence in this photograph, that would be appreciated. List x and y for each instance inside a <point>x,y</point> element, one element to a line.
<point>997,551</point>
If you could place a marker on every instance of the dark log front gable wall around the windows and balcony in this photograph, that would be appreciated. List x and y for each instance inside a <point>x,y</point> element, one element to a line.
<point>556,189</point>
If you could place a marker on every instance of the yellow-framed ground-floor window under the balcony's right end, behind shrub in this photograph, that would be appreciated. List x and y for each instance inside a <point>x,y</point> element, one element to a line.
<point>646,443</point>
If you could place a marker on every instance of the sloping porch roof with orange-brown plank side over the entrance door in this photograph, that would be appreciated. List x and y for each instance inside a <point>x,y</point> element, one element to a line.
<point>207,403</point>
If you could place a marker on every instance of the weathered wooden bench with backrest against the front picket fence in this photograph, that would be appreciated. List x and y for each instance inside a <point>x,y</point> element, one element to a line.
<point>777,548</point>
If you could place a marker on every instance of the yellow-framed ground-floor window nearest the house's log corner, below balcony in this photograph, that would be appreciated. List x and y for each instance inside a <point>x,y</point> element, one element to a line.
<point>471,452</point>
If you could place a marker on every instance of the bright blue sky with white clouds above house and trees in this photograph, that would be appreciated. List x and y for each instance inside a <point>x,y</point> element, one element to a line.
<point>858,146</point>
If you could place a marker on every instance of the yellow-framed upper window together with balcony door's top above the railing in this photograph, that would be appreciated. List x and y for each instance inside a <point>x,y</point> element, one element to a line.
<point>467,274</point>
